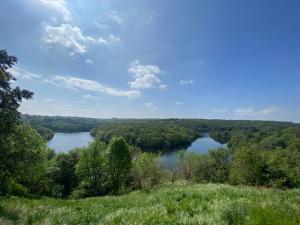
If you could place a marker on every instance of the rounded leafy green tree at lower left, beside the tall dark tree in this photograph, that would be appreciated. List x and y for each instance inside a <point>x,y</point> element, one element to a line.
<point>25,163</point>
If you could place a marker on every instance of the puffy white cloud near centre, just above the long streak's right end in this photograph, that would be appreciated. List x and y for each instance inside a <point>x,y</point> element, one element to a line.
<point>145,76</point>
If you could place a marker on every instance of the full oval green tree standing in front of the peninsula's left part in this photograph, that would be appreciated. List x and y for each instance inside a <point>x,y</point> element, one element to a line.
<point>118,164</point>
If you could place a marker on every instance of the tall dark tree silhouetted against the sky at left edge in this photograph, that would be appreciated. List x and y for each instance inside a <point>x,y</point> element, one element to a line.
<point>10,99</point>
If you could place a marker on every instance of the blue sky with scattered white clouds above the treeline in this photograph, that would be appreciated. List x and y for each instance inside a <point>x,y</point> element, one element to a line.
<point>233,59</point>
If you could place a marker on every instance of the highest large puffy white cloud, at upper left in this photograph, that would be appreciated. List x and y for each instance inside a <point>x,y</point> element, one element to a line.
<point>70,37</point>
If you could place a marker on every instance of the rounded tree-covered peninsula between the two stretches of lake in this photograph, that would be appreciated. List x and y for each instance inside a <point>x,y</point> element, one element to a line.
<point>152,135</point>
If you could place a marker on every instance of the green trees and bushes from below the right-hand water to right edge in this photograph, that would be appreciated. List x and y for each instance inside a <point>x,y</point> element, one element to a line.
<point>269,159</point>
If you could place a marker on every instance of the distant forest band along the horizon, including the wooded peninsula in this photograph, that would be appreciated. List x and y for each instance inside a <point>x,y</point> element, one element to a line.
<point>135,130</point>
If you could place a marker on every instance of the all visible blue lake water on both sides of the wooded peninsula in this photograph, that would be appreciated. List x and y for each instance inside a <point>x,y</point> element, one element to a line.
<point>64,142</point>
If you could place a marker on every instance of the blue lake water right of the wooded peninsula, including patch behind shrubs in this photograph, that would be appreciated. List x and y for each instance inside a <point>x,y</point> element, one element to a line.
<point>201,145</point>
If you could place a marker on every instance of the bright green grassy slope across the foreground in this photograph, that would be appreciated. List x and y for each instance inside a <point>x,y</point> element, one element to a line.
<point>169,204</point>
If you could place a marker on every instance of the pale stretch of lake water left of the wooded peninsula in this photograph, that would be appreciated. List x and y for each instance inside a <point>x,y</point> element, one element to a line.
<point>63,142</point>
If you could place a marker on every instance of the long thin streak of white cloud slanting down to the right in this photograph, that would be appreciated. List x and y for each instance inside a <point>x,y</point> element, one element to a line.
<point>77,83</point>
